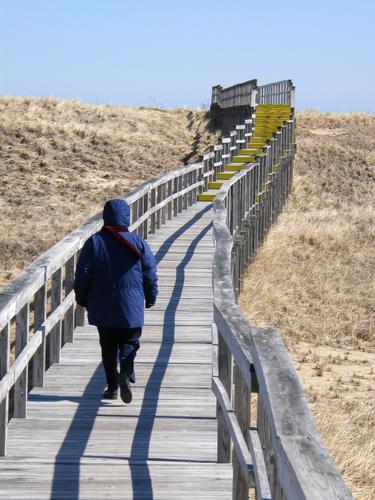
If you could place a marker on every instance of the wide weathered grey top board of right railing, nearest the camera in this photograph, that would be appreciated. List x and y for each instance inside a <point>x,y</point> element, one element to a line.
<point>282,399</point>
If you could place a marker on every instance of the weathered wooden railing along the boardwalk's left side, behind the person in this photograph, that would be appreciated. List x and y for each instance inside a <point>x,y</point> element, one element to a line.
<point>38,312</point>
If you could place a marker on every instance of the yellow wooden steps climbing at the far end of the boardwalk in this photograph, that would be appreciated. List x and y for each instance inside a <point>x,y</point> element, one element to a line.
<point>269,118</point>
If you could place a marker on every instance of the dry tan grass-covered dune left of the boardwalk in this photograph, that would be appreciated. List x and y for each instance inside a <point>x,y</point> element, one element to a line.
<point>60,160</point>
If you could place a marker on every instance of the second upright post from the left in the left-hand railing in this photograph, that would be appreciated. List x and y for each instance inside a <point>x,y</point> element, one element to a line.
<point>21,385</point>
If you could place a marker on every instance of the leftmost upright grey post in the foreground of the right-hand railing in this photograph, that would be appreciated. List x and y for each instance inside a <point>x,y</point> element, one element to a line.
<point>225,375</point>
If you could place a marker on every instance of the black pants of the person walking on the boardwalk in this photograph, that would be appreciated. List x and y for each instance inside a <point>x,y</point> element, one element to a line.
<point>118,345</point>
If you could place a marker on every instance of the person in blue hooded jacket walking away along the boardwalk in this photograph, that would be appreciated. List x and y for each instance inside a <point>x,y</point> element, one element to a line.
<point>115,279</point>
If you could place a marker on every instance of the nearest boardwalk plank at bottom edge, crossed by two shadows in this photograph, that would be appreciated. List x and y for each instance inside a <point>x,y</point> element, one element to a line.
<point>168,480</point>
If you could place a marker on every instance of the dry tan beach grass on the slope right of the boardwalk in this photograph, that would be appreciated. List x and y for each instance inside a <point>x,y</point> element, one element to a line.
<point>314,278</point>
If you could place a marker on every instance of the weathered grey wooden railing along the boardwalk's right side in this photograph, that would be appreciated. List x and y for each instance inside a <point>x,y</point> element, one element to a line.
<point>264,424</point>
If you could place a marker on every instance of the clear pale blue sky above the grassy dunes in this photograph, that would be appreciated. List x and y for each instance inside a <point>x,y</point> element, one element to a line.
<point>170,53</point>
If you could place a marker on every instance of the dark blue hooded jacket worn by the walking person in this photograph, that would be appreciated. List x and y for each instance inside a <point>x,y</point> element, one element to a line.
<point>110,280</point>
